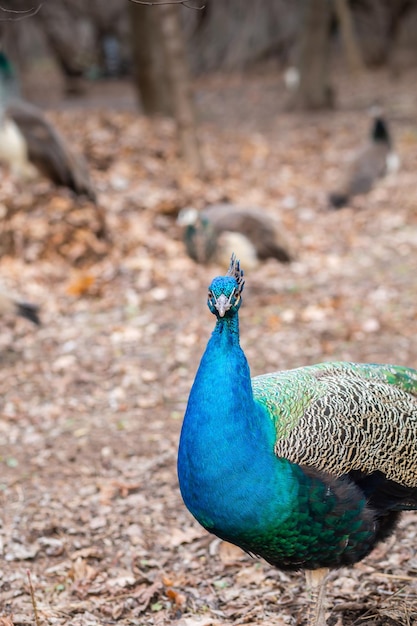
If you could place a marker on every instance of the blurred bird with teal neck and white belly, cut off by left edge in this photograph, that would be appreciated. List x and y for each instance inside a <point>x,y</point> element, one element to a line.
<point>30,145</point>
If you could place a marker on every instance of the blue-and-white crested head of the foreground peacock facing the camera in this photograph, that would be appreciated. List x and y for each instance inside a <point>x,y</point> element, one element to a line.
<point>225,292</point>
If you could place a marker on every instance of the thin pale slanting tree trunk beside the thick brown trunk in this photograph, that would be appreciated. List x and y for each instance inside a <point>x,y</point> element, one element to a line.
<point>182,97</point>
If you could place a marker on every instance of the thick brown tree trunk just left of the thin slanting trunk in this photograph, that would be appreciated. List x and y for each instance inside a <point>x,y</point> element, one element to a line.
<point>149,64</point>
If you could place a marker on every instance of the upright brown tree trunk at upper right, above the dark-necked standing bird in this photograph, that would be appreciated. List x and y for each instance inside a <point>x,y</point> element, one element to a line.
<point>314,91</point>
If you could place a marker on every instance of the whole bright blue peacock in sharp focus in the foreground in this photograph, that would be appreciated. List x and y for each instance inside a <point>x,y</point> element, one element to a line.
<point>307,468</point>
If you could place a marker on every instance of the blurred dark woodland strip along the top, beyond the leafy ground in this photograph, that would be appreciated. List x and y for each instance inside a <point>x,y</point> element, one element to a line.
<point>72,46</point>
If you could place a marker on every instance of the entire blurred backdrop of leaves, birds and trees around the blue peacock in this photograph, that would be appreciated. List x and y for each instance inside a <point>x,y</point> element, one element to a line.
<point>140,146</point>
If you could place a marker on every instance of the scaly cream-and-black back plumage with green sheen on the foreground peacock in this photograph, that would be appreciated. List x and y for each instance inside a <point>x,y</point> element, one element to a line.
<point>368,412</point>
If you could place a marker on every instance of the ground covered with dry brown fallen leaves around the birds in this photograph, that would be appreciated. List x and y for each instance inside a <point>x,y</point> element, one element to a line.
<point>92,401</point>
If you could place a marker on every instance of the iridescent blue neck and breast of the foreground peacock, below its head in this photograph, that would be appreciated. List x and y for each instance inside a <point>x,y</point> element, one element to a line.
<point>227,443</point>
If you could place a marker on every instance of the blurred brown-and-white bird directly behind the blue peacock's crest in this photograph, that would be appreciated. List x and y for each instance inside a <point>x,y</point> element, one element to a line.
<point>212,234</point>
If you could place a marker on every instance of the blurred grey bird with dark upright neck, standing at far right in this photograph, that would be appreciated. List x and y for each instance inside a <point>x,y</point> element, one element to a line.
<point>376,159</point>
